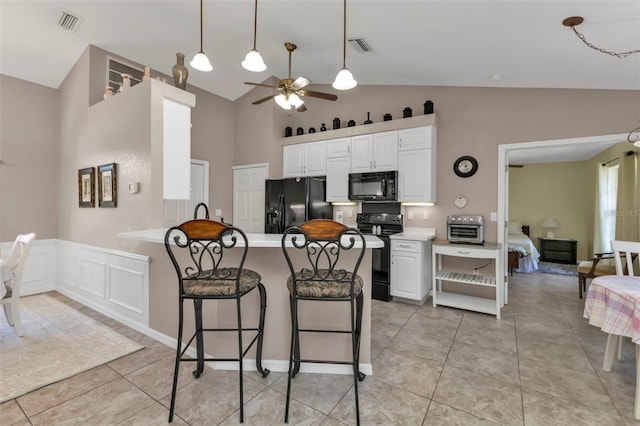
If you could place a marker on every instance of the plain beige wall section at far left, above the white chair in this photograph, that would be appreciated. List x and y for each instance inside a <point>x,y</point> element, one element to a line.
<point>29,141</point>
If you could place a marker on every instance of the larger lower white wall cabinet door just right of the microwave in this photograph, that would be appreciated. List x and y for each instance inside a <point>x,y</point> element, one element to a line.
<point>416,180</point>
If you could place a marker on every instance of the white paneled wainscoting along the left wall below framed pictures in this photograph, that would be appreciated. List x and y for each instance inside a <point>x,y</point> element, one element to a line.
<point>112,282</point>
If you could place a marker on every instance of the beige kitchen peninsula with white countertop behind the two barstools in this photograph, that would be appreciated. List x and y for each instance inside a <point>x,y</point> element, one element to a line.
<point>265,257</point>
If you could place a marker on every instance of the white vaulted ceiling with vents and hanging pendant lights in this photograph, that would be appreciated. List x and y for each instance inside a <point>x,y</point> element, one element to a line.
<point>427,42</point>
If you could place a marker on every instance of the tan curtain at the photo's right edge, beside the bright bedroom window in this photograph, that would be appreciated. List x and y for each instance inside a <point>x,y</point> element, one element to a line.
<point>628,202</point>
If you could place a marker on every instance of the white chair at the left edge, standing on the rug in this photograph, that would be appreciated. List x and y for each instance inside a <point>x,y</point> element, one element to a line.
<point>15,265</point>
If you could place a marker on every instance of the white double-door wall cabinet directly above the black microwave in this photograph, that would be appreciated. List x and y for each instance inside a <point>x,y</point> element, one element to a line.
<point>375,152</point>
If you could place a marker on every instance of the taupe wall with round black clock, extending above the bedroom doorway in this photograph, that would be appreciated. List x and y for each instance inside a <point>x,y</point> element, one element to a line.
<point>470,121</point>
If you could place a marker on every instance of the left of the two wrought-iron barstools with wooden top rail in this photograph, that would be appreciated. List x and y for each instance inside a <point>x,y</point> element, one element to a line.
<point>196,249</point>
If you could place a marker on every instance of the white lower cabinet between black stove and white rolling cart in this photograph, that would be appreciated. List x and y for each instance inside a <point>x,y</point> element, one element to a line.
<point>410,269</point>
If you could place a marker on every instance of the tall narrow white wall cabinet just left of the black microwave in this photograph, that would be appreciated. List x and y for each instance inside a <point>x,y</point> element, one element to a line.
<point>338,168</point>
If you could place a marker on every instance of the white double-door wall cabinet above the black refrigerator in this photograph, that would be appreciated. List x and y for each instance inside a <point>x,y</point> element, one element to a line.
<point>306,159</point>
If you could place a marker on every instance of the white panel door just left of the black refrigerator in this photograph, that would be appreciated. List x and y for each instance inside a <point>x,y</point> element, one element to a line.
<point>248,197</point>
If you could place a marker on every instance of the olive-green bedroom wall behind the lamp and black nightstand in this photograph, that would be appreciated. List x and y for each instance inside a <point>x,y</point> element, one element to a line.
<point>563,191</point>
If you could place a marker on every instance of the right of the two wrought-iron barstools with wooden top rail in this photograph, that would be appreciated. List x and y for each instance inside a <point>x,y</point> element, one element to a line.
<point>318,274</point>
